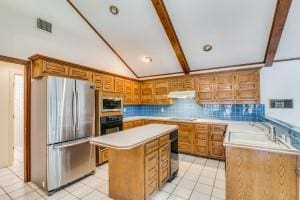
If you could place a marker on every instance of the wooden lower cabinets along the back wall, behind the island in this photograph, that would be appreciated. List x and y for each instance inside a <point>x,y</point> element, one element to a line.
<point>200,139</point>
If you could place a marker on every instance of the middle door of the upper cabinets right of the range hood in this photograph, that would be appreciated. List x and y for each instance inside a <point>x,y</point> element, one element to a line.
<point>224,88</point>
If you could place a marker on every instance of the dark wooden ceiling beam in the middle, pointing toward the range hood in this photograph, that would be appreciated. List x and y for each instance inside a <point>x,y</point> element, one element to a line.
<point>170,31</point>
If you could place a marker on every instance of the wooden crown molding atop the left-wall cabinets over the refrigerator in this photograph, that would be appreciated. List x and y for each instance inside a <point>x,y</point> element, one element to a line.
<point>36,56</point>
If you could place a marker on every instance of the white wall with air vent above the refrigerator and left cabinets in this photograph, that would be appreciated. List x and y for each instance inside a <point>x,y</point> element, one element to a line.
<point>72,39</point>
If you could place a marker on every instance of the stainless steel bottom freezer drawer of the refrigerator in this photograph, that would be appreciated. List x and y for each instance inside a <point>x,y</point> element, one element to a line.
<point>68,162</point>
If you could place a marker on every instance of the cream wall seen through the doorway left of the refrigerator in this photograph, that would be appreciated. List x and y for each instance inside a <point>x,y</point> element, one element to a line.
<point>6,134</point>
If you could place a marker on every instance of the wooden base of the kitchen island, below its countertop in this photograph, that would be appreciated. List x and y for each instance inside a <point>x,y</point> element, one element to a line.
<point>135,174</point>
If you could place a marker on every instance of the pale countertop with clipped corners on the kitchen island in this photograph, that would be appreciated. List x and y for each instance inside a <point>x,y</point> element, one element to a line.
<point>134,137</point>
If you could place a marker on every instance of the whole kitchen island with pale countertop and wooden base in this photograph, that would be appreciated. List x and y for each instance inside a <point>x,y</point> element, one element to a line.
<point>139,160</point>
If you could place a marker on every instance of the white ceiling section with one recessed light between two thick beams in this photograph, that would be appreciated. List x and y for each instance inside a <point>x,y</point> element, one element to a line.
<point>237,30</point>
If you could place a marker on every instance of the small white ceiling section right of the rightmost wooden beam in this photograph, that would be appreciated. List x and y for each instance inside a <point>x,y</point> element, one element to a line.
<point>289,46</point>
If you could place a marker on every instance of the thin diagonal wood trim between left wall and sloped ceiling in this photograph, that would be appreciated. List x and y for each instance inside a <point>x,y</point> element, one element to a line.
<point>101,37</point>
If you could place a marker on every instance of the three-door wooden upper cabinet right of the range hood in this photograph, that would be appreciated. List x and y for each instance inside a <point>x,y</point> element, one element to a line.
<point>228,87</point>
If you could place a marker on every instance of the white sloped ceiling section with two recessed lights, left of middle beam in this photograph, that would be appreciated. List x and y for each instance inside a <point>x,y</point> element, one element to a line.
<point>135,33</point>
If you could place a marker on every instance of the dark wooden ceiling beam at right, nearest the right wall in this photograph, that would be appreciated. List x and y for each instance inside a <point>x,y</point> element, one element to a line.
<point>280,17</point>
